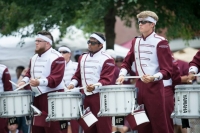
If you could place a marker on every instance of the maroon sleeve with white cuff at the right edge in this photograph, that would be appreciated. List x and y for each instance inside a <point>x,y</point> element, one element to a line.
<point>195,63</point>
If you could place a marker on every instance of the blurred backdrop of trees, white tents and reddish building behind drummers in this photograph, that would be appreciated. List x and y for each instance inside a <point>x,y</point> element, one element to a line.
<point>71,22</point>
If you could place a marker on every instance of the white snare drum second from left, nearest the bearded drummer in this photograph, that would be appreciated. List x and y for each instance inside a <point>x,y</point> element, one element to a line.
<point>63,106</point>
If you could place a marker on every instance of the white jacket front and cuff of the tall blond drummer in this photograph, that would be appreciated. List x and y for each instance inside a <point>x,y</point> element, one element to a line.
<point>146,58</point>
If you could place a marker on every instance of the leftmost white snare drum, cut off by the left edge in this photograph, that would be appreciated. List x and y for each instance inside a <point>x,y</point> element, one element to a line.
<point>15,103</point>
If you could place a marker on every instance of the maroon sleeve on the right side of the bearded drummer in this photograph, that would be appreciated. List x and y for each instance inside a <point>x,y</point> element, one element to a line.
<point>57,72</point>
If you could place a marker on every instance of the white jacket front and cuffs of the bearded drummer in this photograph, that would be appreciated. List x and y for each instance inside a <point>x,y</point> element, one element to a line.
<point>41,68</point>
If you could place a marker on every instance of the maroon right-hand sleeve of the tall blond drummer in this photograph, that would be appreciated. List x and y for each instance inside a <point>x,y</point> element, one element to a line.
<point>165,59</point>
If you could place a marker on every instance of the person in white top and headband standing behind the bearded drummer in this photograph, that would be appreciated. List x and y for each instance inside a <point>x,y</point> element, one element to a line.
<point>70,69</point>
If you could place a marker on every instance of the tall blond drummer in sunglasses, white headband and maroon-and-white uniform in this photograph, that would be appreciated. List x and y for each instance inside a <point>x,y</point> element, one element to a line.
<point>153,60</point>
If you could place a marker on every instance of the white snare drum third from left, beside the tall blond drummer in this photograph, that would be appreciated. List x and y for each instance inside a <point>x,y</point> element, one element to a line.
<point>117,100</point>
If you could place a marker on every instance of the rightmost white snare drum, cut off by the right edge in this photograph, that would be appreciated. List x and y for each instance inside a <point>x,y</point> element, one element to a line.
<point>187,101</point>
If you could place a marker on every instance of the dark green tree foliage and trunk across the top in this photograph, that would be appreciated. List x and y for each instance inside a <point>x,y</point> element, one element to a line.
<point>181,18</point>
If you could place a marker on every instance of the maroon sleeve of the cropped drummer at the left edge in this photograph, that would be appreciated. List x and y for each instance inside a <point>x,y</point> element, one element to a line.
<point>5,78</point>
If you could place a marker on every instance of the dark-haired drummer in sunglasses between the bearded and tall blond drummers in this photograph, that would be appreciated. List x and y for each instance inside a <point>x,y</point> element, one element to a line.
<point>95,67</point>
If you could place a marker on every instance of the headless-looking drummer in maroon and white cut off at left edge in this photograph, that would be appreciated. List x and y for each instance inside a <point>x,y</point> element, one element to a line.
<point>5,85</point>
